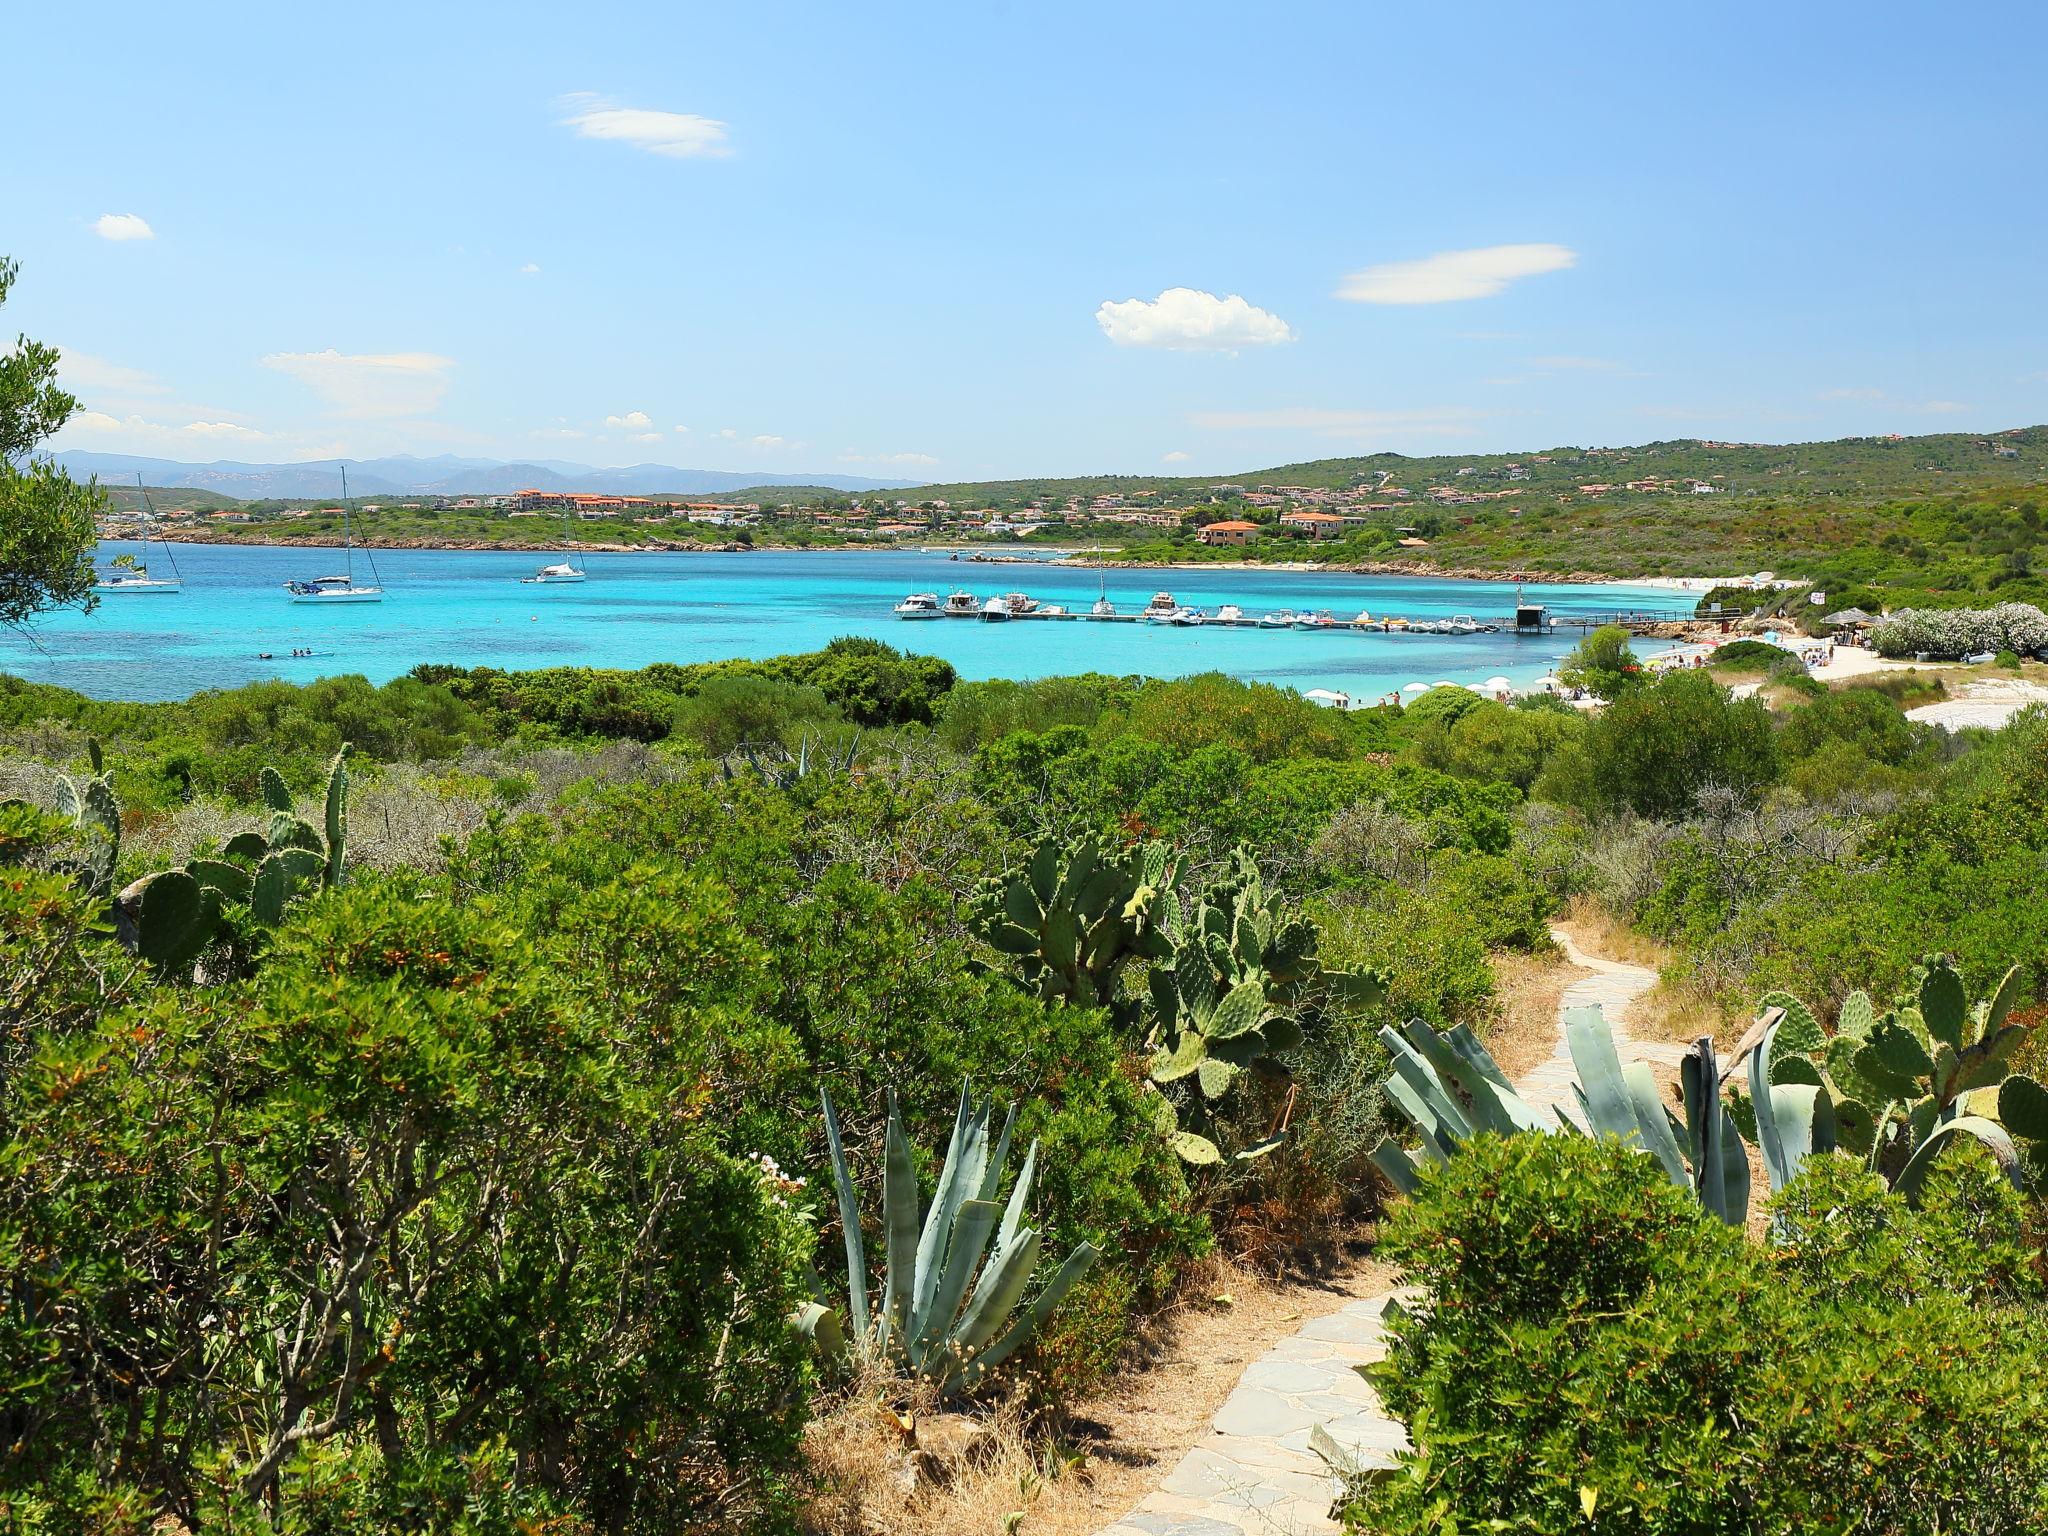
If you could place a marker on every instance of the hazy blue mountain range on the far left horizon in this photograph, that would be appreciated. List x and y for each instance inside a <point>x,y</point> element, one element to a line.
<point>443,476</point>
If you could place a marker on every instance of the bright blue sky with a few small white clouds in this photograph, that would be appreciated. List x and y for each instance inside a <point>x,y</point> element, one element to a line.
<point>972,241</point>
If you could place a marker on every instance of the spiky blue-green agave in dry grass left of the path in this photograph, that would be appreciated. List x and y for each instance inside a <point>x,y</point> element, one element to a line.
<point>949,1308</point>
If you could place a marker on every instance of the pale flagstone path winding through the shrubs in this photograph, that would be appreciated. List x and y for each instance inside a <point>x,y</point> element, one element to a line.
<point>1254,1474</point>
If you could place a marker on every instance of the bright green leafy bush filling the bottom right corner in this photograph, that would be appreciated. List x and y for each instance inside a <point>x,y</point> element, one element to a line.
<point>1592,1353</point>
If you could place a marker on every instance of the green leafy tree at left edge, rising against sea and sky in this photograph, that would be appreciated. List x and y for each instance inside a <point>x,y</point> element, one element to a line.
<point>46,517</point>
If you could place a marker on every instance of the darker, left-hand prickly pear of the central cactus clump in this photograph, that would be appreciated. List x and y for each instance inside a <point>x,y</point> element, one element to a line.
<point>1076,916</point>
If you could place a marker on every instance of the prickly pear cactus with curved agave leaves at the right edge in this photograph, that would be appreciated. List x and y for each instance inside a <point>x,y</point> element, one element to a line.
<point>1893,1089</point>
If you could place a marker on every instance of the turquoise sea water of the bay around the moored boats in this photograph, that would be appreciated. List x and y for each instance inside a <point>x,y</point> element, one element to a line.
<point>470,609</point>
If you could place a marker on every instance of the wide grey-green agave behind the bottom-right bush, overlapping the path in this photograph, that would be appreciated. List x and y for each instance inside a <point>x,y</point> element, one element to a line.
<point>1451,1089</point>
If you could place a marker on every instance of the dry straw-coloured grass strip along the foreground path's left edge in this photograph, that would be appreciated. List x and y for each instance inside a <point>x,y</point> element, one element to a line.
<point>1076,1471</point>
